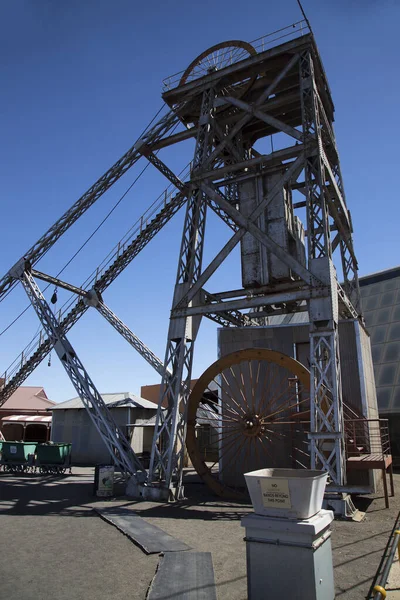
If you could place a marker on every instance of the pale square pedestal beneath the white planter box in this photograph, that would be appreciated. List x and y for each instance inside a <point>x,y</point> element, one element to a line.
<point>289,559</point>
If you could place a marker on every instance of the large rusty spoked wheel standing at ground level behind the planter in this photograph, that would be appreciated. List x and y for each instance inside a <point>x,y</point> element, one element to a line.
<point>249,410</point>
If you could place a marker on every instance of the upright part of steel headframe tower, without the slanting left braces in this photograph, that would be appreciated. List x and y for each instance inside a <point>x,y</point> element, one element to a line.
<point>231,97</point>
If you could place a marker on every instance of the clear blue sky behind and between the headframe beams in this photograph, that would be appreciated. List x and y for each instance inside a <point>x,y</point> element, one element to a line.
<point>81,80</point>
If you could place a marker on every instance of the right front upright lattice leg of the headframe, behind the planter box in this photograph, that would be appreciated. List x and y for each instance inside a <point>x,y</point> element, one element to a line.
<point>326,406</point>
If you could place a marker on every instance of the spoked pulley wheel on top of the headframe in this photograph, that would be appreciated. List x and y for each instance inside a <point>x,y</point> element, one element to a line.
<point>219,57</point>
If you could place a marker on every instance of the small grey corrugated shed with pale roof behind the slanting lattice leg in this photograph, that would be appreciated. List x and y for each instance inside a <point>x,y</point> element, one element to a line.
<point>72,424</point>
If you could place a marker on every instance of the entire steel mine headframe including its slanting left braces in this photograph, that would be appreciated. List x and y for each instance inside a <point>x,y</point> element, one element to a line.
<point>233,100</point>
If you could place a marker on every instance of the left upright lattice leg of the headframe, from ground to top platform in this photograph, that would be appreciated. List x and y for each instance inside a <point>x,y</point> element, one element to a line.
<point>167,454</point>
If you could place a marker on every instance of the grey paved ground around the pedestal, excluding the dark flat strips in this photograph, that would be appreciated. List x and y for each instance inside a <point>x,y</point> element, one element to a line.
<point>54,546</point>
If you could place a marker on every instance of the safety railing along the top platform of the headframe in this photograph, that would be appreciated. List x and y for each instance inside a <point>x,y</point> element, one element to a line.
<point>260,44</point>
